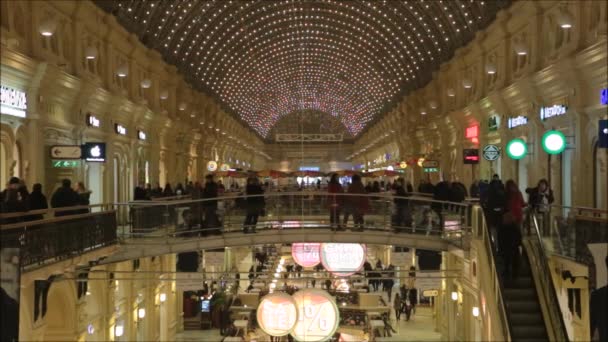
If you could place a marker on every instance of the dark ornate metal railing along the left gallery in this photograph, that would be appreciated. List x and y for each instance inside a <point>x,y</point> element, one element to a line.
<point>60,233</point>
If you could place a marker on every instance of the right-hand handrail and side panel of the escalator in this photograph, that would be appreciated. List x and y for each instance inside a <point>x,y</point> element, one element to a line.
<point>544,276</point>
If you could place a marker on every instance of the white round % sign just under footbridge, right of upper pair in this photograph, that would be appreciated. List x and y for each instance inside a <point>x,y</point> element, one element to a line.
<point>342,259</point>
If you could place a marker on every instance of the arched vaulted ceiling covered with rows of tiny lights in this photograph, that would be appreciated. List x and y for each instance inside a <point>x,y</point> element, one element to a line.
<point>265,59</point>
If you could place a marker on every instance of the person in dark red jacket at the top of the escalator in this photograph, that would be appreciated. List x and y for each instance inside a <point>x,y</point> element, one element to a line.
<point>509,234</point>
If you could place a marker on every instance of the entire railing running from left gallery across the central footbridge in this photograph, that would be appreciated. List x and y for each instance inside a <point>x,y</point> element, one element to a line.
<point>54,234</point>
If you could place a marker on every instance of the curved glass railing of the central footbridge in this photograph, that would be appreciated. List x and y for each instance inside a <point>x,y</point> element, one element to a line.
<point>294,210</point>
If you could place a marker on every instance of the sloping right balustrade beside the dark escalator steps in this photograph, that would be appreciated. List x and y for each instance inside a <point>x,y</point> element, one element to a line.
<point>539,264</point>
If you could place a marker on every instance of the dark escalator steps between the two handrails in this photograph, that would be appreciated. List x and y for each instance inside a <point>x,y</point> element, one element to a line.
<point>523,307</point>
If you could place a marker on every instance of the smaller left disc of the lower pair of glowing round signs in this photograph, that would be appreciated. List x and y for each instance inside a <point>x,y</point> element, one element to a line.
<point>277,314</point>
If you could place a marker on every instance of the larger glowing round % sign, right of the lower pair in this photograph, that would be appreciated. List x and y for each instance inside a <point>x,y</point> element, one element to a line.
<point>318,316</point>
